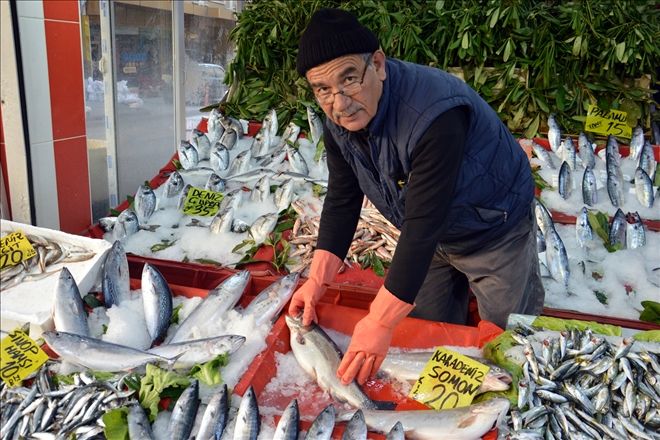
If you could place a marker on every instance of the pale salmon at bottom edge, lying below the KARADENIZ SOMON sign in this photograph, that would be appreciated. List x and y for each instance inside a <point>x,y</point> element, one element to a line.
<point>468,423</point>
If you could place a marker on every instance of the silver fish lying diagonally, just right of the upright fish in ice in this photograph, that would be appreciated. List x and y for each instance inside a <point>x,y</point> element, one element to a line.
<point>218,301</point>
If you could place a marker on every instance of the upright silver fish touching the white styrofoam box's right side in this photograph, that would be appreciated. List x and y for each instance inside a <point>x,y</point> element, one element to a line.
<point>68,309</point>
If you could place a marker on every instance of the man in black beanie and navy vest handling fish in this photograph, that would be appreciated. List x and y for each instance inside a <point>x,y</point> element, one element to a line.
<point>440,165</point>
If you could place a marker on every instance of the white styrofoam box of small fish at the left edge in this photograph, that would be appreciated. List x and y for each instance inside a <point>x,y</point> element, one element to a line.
<point>32,301</point>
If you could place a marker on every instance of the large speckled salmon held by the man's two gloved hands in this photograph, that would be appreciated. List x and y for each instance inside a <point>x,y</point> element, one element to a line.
<point>319,357</point>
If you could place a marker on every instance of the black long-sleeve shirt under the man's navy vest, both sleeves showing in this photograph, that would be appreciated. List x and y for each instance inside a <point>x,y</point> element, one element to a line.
<point>436,160</point>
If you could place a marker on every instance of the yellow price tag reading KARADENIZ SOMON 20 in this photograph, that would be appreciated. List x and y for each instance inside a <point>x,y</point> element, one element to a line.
<point>449,380</point>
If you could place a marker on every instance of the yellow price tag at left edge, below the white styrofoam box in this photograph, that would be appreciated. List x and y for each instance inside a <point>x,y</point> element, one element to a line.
<point>20,356</point>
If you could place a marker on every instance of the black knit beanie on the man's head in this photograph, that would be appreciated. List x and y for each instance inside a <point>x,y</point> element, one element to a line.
<point>330,34</point>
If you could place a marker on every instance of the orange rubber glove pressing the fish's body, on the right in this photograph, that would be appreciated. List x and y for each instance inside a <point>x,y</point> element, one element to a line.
<point>372,337</point>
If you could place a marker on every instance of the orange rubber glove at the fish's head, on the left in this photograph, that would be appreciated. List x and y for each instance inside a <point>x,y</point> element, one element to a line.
<point>325,266</point>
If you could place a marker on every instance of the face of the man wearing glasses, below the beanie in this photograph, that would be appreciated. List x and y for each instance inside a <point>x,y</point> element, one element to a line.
<point>351,112</point>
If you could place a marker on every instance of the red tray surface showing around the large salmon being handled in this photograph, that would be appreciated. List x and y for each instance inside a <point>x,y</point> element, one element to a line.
<point>411,332</point>
